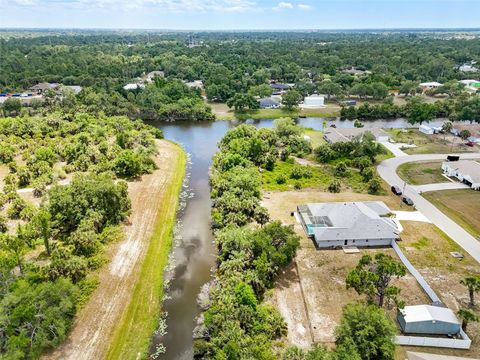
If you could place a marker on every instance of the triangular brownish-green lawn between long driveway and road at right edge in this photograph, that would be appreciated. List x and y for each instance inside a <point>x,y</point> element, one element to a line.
<point>462,206</point>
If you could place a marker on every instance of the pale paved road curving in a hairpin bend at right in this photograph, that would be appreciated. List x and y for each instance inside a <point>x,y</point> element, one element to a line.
<point>387,169</point>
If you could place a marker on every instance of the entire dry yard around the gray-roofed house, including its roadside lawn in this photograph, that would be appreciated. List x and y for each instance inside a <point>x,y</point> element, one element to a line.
<point>311,295</point>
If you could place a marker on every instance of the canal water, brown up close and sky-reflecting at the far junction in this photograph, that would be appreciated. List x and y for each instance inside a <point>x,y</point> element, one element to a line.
<point>194,251</point>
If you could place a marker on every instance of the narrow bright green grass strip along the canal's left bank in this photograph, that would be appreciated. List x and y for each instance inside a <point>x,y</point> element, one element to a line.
<point>132,335</point>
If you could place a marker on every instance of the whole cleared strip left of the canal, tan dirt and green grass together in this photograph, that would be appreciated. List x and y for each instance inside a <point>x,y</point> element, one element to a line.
<point>122,311</point>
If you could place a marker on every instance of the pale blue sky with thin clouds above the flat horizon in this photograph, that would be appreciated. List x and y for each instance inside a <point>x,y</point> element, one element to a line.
<point>240,14</point>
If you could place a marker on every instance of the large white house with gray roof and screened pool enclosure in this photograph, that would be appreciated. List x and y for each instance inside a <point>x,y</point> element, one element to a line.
<point>338,224</point>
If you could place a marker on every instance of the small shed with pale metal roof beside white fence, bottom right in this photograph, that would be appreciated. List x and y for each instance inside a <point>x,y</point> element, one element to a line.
<point>428,319</point>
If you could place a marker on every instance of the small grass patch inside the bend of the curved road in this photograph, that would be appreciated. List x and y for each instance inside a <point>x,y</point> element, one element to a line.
<point>419,173</point>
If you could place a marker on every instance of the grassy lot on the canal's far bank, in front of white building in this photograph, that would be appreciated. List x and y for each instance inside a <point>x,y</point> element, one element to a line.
<point>222,112</point>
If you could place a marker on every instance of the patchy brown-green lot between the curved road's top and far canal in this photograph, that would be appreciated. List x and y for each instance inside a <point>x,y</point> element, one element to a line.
<point>429,144</point>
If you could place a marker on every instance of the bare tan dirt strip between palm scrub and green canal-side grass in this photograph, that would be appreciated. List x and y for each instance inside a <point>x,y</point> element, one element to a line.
<point>95,323</point>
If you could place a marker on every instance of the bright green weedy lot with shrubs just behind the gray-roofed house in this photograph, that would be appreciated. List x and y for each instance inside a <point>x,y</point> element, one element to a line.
<point>321,177</point>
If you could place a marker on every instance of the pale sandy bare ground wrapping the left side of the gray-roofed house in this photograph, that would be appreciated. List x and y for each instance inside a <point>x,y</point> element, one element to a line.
<point>317,280</point>
